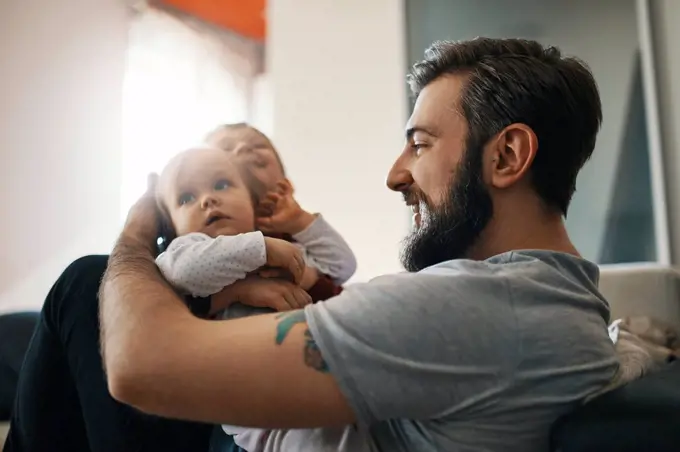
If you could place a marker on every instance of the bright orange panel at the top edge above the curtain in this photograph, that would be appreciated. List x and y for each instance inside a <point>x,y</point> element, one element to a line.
<point>245,17</point>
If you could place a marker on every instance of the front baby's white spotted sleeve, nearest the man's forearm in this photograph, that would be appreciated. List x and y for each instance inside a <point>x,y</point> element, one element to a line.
<point>201,265</point>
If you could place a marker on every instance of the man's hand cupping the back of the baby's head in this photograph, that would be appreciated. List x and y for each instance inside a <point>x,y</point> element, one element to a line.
<point>141,224</point>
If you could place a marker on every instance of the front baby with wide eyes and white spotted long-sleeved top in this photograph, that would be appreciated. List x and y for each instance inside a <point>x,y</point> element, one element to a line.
<point>211,209</point>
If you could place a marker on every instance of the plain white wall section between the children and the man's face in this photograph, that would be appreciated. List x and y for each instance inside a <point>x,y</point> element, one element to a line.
<point>337,79</point>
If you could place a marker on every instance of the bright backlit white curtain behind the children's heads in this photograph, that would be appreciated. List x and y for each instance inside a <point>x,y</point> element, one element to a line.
<point>183,77</point>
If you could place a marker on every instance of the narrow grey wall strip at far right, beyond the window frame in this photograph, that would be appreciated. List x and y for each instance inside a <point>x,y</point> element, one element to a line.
<point>665,17</point>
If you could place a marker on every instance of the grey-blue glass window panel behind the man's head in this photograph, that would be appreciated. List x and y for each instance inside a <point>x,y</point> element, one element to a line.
<point>618,212</point>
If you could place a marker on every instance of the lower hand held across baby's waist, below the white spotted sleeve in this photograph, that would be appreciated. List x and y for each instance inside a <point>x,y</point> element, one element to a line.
<point>276,294</point>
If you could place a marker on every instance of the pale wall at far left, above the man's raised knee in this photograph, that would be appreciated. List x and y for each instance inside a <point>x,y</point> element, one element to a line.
<point>61,69</point>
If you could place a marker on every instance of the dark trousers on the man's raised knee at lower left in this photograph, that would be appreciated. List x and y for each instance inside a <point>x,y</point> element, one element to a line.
<point>63,403</point>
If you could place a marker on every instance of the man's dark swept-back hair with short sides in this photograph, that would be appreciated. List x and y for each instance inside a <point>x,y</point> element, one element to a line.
<point>519,81</point>
